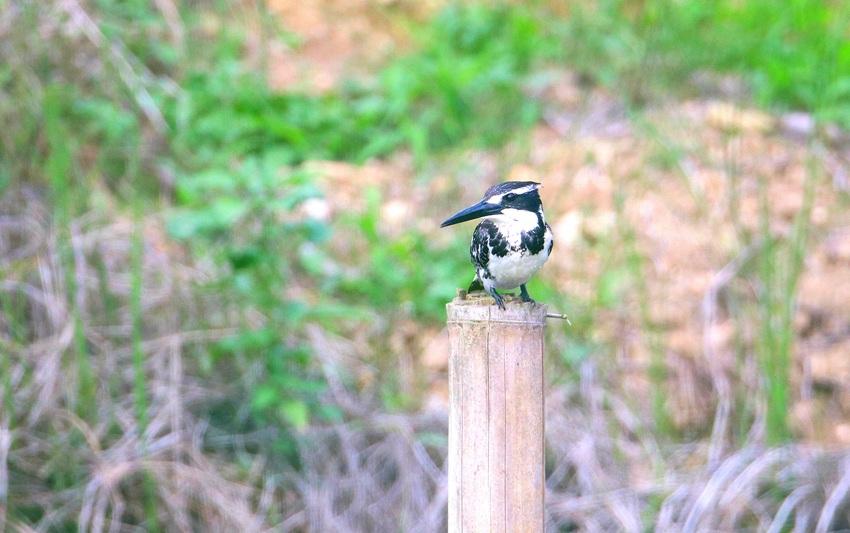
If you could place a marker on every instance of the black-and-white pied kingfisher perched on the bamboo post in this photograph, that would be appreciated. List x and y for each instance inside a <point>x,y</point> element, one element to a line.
<point>512,242</point>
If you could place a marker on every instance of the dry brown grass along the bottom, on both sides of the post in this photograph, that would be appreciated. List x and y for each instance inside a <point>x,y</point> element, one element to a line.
<point>376,471</point>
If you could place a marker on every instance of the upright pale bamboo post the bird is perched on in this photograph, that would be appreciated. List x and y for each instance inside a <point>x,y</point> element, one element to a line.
<point>496,469</point>
